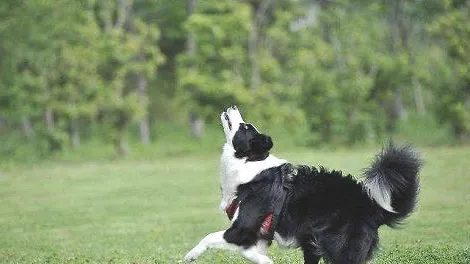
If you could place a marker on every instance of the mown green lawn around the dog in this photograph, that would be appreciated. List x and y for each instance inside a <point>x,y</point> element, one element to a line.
<point>154,210</point>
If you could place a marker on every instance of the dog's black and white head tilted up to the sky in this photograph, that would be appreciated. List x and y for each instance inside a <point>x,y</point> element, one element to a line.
<point>244,137</point>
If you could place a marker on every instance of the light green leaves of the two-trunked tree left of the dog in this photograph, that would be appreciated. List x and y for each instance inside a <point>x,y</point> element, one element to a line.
<point>131,54</point>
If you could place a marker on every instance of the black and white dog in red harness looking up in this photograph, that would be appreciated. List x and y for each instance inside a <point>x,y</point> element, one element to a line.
<point>326,214</point>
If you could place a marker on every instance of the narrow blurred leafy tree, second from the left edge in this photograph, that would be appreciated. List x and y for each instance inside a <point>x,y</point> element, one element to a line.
<point>75,80</point>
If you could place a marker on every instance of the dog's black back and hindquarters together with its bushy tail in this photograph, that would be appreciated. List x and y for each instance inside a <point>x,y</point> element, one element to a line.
<point>335,217</point>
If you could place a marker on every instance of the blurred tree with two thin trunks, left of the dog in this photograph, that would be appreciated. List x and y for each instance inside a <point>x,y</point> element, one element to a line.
<point>130,57</point>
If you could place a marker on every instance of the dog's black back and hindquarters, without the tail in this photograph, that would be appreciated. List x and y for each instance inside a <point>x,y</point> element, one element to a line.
<point>330,216</point>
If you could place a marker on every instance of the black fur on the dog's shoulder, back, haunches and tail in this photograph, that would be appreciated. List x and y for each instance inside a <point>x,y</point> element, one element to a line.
<point>331,216</point>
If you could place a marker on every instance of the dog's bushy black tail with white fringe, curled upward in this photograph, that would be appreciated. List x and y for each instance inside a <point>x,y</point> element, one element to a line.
<point>392,182</point>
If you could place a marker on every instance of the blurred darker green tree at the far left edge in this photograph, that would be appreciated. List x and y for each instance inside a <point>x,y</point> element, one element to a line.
<point>31,33</point>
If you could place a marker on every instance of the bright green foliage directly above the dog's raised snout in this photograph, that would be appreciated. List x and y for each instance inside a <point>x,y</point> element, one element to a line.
<point>214,76</point>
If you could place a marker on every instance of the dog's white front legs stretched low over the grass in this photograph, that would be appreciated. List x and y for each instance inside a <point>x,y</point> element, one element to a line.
<point>216,240</point>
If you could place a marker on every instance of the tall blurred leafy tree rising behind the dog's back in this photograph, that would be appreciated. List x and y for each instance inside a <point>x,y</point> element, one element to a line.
<point>335,64</point>
